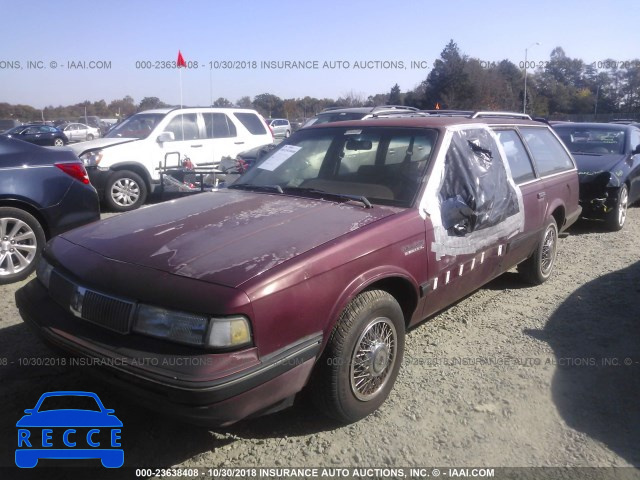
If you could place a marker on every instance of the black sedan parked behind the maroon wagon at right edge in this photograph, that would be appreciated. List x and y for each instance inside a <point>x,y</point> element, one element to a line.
<point>608,159</point>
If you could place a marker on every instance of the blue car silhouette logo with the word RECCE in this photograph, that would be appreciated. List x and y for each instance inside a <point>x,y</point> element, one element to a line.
<point>54,430</point>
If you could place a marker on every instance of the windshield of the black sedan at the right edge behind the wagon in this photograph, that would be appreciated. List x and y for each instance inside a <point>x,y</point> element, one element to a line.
<point>592,140</point>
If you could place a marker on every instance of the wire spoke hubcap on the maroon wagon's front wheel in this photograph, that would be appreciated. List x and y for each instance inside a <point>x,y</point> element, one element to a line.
<point>373,359</point>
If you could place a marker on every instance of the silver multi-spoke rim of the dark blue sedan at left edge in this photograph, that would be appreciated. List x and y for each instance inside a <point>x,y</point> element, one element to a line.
<point>18,246</point>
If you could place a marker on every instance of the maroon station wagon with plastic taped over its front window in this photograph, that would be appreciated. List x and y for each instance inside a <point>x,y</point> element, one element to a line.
<point>310,268</point>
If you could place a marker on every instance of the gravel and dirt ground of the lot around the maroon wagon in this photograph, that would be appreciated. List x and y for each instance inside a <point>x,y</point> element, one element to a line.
<point>510,376</point>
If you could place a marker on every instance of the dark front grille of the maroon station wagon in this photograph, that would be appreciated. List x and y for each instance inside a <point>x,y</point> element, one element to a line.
<point>95,307</point>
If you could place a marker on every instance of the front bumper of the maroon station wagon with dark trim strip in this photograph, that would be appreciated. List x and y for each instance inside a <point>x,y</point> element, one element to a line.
<point>213,391</point>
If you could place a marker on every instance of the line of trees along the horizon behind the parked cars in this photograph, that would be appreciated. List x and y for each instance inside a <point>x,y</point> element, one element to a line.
<point>557,88</point>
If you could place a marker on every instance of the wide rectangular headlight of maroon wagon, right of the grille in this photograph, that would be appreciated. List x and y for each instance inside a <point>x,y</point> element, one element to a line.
<point>200,330</point>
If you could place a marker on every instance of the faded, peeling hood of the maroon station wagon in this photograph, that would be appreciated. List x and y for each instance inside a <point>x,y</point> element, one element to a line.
<point>224,237</point>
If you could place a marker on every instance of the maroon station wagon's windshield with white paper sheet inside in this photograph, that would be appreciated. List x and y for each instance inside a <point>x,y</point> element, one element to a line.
<point>385,165</point>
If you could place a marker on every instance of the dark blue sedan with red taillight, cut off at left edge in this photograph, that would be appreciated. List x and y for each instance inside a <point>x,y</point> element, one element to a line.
<point>43,192</point>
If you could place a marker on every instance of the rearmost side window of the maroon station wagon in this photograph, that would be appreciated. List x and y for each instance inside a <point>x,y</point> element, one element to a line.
<point>548,153</point>
